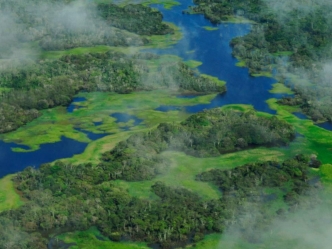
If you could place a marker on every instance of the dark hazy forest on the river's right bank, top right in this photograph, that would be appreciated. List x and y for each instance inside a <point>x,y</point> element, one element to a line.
<point>303,32</point>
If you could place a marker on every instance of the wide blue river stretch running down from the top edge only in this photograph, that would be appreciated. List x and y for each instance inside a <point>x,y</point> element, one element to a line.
<point>213,49</point>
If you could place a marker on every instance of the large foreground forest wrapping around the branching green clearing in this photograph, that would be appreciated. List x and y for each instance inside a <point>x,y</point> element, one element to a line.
<point>63,197</point>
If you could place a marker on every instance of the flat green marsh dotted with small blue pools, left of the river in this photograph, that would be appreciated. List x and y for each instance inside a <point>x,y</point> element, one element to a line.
<point>57,122</point>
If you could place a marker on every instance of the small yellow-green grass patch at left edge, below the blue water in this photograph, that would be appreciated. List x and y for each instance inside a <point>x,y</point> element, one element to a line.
<point>9,198</point>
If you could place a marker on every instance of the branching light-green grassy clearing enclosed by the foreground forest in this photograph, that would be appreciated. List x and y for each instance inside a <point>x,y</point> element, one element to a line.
<point>184,169</point>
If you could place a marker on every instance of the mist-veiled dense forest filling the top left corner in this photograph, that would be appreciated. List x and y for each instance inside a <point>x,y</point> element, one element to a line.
<point>58,25</point>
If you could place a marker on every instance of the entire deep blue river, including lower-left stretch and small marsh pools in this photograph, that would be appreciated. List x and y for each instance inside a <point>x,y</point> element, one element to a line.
<point>210,47</point>
